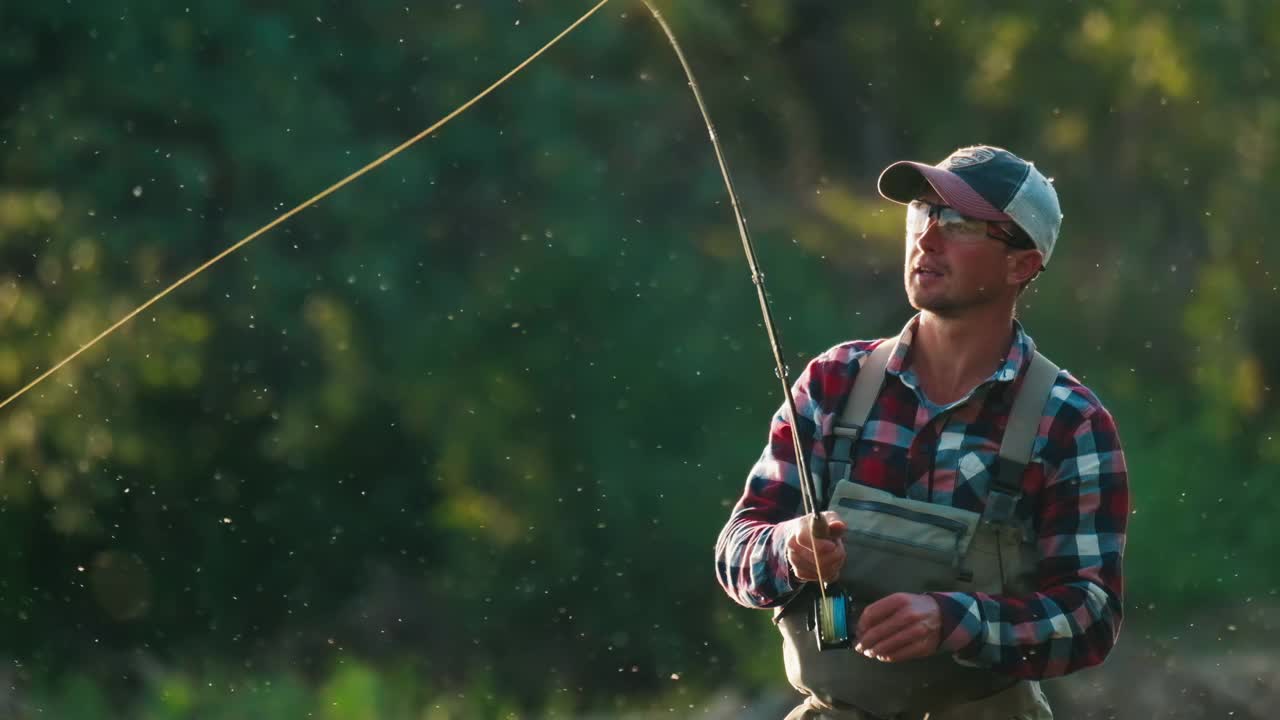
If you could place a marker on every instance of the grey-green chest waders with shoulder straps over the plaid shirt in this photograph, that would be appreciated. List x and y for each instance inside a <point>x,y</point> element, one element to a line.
<point>902,545</point>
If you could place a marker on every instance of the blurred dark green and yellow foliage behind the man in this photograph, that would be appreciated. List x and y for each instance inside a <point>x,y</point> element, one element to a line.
<point>458,443</point>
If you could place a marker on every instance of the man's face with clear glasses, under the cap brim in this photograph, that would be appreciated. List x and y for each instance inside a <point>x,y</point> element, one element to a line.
<point>948,274</point>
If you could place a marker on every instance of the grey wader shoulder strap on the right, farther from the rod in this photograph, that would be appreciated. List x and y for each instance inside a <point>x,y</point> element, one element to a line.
<point>1016,449</point>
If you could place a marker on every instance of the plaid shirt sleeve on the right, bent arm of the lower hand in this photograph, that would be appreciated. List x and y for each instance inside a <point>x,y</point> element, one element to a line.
<point>1073,621</point>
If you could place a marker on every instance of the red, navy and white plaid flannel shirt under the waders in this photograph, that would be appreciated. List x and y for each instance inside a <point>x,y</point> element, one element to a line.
<point>1076,496</point>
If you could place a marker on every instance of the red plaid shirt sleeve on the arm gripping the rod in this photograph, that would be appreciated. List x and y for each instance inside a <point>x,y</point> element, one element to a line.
<point>751,554</point>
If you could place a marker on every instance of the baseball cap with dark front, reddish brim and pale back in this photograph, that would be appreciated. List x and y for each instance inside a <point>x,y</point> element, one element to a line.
<point>984,183</point>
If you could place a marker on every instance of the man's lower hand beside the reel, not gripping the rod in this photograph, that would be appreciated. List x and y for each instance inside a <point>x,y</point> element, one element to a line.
<point>900,627</point>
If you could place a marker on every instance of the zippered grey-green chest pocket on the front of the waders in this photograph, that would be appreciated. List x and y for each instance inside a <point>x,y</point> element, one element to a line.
<point>900,545</point>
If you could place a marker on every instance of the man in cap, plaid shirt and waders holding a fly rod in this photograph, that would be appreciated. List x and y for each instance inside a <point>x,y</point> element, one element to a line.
<point>981,226</point>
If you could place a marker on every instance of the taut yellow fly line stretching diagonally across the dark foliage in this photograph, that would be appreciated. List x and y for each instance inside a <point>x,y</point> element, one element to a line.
<point>304,206</point>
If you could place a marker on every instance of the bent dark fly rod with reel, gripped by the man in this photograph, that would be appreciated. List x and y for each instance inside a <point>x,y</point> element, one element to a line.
<point>831,626</point>
